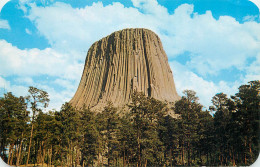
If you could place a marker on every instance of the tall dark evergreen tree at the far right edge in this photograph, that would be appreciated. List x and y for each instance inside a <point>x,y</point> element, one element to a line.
<point>247,117</point>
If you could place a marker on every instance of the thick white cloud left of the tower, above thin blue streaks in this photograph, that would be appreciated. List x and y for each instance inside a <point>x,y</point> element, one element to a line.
<point>35,62</point>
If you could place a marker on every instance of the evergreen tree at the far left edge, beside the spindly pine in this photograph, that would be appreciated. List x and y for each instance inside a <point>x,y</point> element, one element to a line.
<point>13,126</point>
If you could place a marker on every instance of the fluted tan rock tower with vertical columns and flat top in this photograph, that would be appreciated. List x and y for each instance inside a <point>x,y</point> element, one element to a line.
<point>127,60</point>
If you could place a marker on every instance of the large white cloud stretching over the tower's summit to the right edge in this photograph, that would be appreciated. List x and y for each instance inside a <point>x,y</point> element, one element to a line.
<point>208,40</point>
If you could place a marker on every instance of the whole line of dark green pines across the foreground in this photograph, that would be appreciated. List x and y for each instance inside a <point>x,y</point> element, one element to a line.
<point>146,135</point>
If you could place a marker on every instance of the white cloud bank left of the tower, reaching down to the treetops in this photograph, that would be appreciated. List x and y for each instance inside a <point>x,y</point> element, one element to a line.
<point>26,66</point>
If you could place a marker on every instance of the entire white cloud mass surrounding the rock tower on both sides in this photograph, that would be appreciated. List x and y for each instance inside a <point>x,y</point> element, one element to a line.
<point>213,44</point>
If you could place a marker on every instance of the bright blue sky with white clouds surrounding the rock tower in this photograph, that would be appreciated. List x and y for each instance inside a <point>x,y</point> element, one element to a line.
<point>212,46</point>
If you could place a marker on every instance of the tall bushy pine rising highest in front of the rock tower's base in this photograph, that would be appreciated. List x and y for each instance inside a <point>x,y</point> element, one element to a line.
<point>145,113</point>
